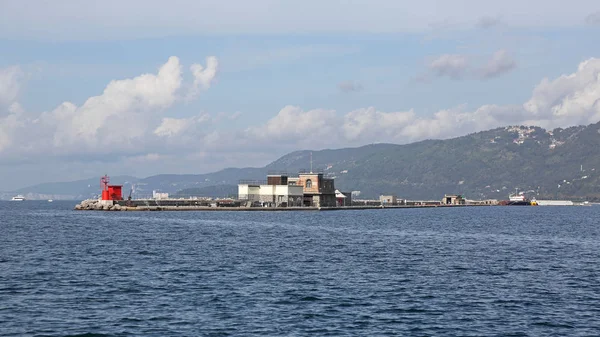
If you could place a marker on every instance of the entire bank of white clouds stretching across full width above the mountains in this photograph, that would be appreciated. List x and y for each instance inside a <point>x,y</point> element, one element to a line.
<point>130,119</point>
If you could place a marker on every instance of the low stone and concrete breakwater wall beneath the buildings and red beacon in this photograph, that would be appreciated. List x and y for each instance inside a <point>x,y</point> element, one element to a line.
<point>144,205</point>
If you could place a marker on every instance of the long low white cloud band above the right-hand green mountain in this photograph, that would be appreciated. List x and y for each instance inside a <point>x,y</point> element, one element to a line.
<point>569,100</point>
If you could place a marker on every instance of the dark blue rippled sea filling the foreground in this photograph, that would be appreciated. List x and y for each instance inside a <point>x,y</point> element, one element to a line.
<point>474,271</point>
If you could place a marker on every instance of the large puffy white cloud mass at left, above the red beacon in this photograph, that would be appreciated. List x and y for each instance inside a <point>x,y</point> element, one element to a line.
<point>126,116</point>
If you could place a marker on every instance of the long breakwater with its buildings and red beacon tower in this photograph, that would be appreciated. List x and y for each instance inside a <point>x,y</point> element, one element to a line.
<point>307,191</point>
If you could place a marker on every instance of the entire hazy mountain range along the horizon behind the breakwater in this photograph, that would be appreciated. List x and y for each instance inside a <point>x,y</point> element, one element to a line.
<point>560,163</point>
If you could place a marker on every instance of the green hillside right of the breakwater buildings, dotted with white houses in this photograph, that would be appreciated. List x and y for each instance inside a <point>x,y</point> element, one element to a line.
<point>549,164</point>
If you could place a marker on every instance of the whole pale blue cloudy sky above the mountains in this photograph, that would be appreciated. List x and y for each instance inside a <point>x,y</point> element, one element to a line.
<point>148,87</point>
